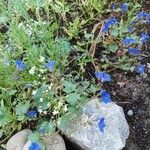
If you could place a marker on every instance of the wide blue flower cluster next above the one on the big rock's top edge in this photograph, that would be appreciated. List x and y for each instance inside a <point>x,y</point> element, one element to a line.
<point>103,76</point>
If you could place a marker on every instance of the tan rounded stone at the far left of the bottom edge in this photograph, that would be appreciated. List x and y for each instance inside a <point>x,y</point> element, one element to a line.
<point>17,141</point>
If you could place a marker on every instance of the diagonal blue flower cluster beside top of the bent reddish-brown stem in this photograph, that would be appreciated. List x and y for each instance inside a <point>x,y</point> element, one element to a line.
<point>111,21</point>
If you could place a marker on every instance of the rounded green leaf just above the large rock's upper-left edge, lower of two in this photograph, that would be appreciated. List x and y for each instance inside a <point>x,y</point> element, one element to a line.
<point>73,98</point>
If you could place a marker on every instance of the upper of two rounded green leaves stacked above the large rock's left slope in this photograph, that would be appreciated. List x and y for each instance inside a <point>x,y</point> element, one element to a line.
<point>69,86</point>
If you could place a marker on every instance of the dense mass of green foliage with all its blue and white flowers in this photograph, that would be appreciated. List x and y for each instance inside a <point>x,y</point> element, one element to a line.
<point>51,61</point>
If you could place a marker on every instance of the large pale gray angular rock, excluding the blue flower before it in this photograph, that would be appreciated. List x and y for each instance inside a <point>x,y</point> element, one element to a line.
<point>86,133</point>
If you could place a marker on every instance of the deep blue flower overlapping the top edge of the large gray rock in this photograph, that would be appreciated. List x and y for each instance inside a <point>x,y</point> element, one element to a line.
<point>106,97</point>
